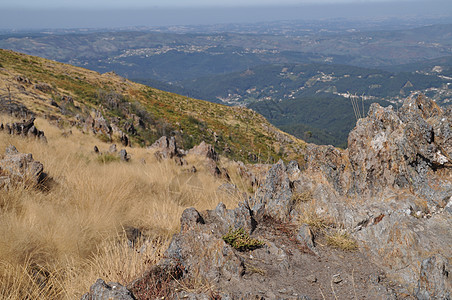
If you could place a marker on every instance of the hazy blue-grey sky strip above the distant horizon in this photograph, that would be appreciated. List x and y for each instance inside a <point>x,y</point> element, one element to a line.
<point>42,14</point>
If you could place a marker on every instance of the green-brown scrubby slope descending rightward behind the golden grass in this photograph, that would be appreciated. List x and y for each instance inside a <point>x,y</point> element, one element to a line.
<point>70,95</point>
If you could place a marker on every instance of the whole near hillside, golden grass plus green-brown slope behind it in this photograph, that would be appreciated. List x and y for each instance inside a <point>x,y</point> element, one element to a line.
<point>56,241</point>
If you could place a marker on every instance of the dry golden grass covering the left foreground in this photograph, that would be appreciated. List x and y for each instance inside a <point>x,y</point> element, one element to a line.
<point>56,243</point>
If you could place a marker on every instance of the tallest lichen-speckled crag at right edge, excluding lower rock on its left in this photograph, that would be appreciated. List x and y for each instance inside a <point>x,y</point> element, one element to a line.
<point>402,150</point>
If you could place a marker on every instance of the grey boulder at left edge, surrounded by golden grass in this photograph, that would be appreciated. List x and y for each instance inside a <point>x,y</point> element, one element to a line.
<point>19,169</point>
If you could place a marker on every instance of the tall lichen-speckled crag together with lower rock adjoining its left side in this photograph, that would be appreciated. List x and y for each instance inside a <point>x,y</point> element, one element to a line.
<point>405,150</point>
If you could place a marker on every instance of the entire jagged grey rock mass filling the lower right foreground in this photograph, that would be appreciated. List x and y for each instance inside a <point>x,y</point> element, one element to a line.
<point>391,191</point>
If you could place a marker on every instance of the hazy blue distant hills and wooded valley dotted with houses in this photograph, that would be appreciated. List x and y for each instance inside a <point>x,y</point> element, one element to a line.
<point>276,69</point>
